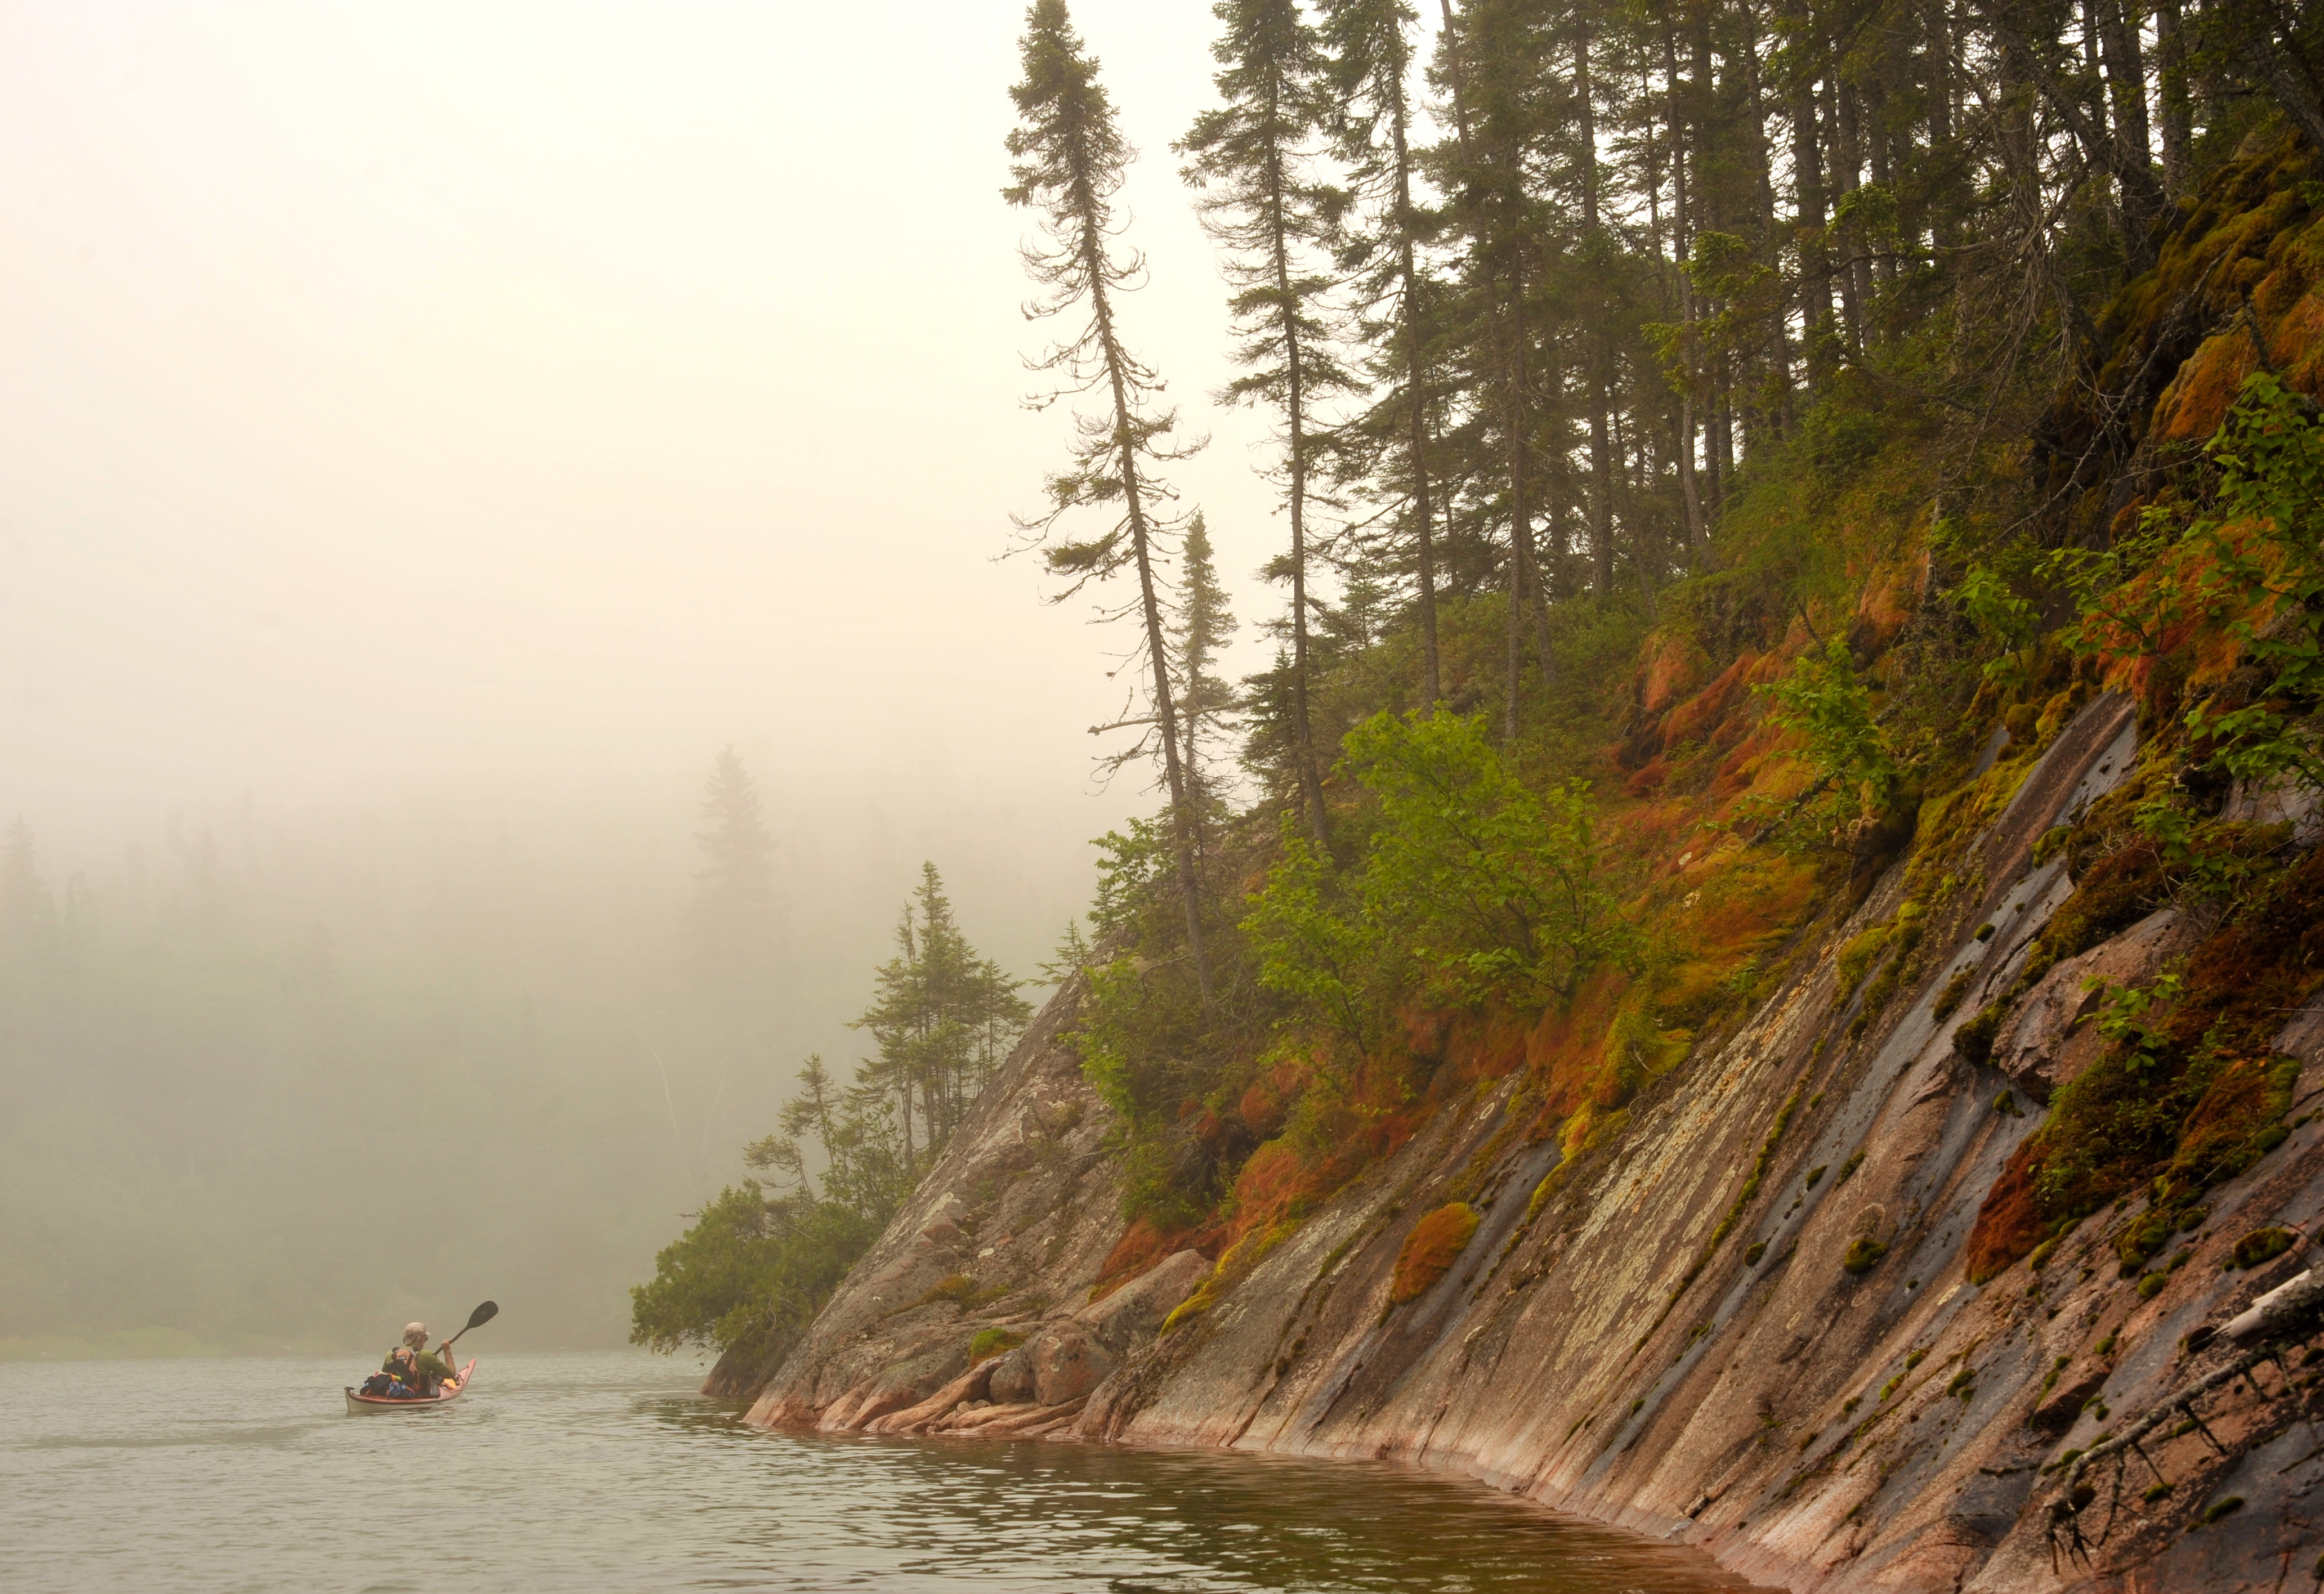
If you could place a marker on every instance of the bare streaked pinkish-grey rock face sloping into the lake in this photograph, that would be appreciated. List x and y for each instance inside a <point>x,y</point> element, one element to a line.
<point>1744,1326</point>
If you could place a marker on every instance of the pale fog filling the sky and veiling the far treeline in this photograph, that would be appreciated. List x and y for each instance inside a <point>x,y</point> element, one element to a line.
<point>429,436</point>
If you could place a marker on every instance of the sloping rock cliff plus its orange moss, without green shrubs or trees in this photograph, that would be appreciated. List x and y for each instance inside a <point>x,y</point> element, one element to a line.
<point>1911,1268</point>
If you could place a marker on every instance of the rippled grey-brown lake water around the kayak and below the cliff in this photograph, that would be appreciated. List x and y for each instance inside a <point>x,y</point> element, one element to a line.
<point>605,1472</point>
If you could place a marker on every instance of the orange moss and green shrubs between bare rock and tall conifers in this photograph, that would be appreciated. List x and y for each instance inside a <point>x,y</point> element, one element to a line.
<point>1895,624</point>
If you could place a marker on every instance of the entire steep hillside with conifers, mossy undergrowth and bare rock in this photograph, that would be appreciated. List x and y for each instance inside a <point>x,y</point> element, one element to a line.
<point>1765,989</point>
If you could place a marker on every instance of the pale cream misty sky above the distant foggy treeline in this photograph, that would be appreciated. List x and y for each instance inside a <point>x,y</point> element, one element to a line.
<point>473,403</point>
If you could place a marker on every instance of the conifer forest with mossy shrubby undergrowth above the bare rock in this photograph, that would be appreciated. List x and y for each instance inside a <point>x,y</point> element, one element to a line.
<point>1793,366</point>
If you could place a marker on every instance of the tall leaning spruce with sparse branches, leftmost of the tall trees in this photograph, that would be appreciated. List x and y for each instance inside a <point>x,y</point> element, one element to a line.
<point>1068,159</point>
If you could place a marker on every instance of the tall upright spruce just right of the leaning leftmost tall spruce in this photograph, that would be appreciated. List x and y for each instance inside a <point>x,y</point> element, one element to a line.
<point>1251,161</point>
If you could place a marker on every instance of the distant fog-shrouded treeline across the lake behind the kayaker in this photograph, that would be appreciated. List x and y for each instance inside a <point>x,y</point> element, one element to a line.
<point>280,1086</point>
